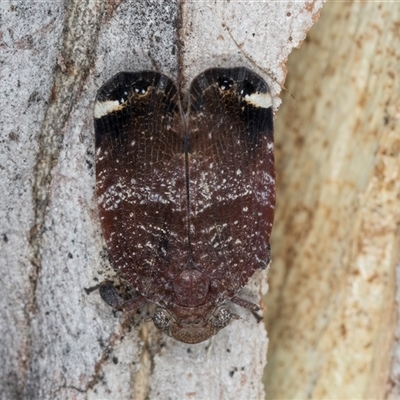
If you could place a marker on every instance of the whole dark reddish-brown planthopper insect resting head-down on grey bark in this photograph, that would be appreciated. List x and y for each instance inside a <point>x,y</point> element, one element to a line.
<point>186,197</point>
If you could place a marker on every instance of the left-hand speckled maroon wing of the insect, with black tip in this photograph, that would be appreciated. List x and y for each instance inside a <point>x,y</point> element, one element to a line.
<point>141,185</point>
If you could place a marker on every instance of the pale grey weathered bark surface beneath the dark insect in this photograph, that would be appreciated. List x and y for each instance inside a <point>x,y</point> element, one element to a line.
<point>59,339</point>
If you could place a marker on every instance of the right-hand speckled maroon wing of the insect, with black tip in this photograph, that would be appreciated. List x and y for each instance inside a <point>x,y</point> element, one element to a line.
<point>231,175</point>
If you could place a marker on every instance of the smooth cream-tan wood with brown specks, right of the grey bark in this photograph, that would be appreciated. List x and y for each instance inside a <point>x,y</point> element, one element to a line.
<point>331,305</point>
